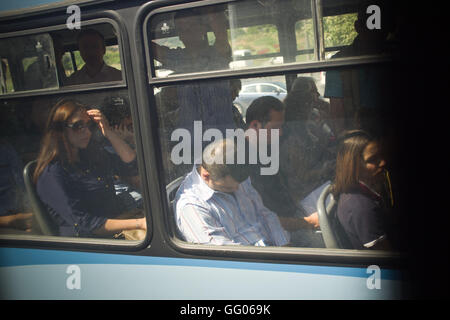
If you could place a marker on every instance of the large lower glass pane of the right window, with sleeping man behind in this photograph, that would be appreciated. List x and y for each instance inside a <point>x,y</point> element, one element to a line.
<point>195,115</point>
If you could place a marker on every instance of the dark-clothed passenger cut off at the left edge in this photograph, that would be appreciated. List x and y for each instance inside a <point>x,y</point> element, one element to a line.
<point>14,211</point>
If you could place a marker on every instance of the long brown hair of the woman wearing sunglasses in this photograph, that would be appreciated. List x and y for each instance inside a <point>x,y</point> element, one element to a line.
<point>55,143</point>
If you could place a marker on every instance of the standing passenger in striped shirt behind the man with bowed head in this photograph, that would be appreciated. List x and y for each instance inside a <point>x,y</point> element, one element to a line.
<point>209,102</point>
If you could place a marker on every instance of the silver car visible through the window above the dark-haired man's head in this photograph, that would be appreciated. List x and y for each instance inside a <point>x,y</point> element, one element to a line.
<point>251,91</point>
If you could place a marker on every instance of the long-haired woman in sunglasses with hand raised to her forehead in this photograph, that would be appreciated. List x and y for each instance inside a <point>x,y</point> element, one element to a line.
<point>74,174</point>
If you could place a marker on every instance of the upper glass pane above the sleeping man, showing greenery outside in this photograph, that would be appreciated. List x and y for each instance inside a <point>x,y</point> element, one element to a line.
<point>234,36</point>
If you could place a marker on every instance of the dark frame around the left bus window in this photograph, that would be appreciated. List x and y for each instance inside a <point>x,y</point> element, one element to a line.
<point>97,244</point>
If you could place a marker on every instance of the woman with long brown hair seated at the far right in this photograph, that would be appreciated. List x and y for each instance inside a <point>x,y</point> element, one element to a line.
<point>360,186</point>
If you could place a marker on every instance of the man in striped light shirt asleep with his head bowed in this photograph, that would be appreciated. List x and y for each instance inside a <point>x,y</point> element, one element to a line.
<point>216,204</point>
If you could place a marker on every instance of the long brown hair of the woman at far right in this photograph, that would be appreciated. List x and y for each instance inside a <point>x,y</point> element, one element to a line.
<point>348,163</point>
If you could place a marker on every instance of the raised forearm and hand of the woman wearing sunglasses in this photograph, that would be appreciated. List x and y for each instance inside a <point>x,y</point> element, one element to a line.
<point>125,152</point>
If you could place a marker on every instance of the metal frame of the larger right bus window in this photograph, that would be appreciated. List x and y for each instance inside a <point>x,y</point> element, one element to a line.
<point>344,257</point>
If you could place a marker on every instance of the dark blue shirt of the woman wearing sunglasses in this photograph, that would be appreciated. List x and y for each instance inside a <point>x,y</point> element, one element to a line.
<point>81,197</point>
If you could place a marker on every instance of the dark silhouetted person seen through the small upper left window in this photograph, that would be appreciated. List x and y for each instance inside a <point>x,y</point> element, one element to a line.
<point>91,44</point>
